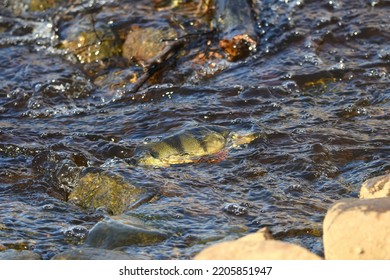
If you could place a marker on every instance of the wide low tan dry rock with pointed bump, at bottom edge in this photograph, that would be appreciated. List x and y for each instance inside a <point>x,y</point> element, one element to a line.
<point>256,246</point>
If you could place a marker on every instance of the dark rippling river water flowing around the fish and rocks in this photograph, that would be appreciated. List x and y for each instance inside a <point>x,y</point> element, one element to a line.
<point>317,88</point>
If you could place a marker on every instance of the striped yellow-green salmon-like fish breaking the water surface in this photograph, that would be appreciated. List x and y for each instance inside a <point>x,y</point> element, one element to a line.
<point>191,145</point>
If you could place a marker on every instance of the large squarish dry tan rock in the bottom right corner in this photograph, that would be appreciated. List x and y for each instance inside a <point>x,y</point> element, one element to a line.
<point>358,229</point>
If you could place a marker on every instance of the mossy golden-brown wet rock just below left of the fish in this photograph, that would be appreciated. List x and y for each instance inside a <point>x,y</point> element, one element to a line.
<point>97,188</point>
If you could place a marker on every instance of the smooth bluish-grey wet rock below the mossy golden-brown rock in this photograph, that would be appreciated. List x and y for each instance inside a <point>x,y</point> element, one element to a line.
<point>120,231</point>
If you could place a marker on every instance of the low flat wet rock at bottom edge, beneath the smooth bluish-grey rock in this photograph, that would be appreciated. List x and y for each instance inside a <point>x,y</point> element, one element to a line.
<point>94,254</point>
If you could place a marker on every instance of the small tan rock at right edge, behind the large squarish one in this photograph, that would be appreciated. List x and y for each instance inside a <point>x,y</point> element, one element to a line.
<point>376,187</point>
